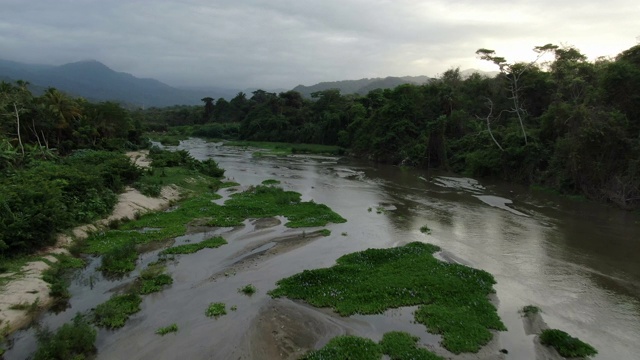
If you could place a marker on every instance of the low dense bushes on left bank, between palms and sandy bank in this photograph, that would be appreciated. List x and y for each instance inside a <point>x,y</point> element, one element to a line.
<point>49,196</point>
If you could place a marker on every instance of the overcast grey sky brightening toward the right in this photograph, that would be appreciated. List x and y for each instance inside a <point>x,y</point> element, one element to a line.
<point>283,43</point>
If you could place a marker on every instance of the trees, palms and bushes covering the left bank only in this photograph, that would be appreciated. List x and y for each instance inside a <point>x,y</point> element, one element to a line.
<point>60,164</point>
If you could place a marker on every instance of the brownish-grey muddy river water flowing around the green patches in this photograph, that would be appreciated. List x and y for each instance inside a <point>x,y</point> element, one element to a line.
<point>579,262</point>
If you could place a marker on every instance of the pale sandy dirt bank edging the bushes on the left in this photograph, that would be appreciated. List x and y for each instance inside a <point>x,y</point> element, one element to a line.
<point>27,287</point>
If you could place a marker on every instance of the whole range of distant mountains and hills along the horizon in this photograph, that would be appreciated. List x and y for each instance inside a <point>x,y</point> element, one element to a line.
<point>97,82</point>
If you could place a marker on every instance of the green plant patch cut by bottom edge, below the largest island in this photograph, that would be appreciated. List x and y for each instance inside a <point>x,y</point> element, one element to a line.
<point>397,345</point>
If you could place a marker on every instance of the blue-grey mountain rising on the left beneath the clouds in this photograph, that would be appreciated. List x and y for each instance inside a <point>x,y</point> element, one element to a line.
<point>95,81</point>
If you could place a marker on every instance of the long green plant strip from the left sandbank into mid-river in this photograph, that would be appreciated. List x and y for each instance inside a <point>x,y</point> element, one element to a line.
<point>256,202</point>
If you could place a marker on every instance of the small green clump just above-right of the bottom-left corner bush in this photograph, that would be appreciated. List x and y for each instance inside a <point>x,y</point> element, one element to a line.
<point>115,312</point>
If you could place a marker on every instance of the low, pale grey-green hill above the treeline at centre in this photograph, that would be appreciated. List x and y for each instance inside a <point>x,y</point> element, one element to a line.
<point>362,86</point>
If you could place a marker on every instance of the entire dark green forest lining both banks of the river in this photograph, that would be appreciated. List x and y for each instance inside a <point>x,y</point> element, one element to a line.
<point>567,124</point>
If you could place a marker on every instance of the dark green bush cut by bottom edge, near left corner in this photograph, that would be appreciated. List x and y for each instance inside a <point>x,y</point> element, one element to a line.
<point>74,340</point>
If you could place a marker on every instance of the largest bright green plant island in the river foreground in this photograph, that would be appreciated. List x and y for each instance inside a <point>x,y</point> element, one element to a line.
<point>452,297</point>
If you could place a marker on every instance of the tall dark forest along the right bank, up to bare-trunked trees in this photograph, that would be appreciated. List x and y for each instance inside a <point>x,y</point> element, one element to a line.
<point>571,125</point>
